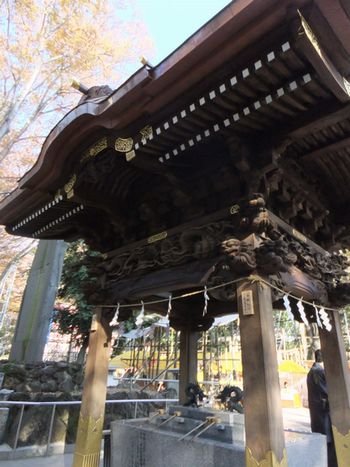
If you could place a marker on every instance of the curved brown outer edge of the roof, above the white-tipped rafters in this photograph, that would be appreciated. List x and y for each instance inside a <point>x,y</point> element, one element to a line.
<point>148,91</point>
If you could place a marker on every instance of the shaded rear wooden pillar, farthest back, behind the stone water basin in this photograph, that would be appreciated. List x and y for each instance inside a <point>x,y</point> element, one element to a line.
<point>188,361</point>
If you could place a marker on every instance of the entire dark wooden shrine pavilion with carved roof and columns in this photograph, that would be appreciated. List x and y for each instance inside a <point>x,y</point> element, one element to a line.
<point>223,174</point>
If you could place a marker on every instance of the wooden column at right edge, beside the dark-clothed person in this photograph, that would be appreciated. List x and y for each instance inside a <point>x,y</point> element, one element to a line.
<point>338,384</point>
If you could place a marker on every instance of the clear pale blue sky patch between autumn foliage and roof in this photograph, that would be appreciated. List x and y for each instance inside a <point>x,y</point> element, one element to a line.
<point>171,22</point>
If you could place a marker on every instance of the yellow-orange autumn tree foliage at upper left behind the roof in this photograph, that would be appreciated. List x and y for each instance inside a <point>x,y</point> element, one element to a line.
<point>44,44</point>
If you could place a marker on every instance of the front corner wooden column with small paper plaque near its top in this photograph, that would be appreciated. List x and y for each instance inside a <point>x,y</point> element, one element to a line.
<point>262,401</point>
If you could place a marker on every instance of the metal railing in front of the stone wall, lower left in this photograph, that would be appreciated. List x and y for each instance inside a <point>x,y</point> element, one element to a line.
<point>55,404</point>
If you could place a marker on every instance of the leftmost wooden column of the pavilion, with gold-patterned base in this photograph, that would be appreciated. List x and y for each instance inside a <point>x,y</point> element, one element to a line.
<point>89,434</point>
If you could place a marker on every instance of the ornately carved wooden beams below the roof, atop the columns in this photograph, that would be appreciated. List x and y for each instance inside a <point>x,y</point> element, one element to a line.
<point>249,242</point>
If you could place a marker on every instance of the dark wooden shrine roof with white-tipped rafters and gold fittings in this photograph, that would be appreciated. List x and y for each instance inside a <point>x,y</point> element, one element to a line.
<point>256,100</point>
